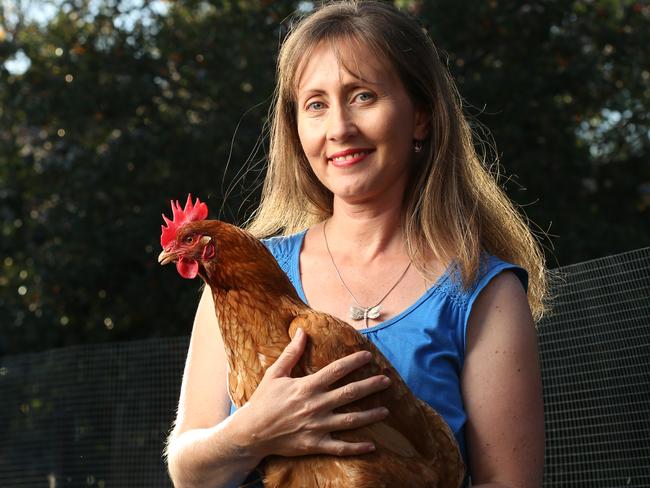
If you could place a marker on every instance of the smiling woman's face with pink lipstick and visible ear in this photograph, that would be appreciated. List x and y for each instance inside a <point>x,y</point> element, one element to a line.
<point>356,123</point>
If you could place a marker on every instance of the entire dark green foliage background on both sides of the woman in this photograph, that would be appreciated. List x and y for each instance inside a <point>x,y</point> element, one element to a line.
<point>127,104</point>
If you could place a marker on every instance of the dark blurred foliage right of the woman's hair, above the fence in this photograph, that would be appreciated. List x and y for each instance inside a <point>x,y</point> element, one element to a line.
<point>564,87</point>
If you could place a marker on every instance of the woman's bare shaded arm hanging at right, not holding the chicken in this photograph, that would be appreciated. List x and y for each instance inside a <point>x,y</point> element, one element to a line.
<point>502,389</point>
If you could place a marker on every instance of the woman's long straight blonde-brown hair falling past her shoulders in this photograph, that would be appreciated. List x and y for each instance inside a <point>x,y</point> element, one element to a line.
<point>453,208</point>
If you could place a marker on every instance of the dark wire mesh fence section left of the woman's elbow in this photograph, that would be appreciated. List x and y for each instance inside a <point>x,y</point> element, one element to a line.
<point>89,415</point>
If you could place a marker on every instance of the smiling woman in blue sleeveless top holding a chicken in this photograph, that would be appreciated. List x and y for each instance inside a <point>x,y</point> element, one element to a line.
<point>391,223</point>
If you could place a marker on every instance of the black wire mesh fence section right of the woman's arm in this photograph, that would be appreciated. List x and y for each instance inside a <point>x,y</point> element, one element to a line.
<point>595,356</point>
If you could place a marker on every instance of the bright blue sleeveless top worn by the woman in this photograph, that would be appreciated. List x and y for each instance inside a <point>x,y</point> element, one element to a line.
<point>426,342</point>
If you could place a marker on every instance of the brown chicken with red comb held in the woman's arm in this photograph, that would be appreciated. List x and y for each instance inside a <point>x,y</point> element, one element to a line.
<point>258,311</point>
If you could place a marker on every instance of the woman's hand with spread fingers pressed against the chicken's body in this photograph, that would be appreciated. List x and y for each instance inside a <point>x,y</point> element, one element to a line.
<point>294,416</point>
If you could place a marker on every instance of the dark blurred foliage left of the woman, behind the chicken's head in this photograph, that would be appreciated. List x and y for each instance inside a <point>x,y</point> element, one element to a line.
<point>120,111</point>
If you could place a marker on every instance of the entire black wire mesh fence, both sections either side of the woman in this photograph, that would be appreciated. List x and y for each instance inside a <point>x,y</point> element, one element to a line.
<point>99,415</point>
